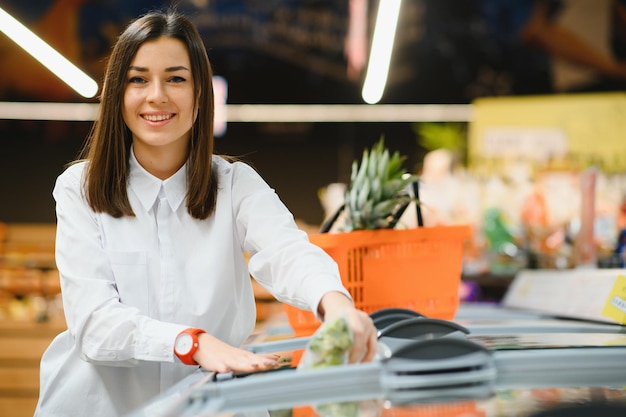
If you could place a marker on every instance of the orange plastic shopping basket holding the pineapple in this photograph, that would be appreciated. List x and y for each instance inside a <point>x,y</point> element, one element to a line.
<point>418,269</point>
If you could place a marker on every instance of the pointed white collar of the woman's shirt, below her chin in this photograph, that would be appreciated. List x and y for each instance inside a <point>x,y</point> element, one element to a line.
<point>146,186</point>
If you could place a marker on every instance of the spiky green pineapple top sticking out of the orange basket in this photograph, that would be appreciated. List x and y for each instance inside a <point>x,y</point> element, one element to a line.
<point>377,194</point>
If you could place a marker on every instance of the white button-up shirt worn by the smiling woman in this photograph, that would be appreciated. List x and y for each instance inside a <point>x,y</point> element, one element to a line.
<point>131,284</point>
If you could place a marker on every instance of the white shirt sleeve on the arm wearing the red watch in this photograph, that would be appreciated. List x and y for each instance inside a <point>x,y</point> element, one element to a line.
<point>105,331</point>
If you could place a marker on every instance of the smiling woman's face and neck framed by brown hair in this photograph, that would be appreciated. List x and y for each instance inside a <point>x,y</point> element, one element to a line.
<point>158,105</point>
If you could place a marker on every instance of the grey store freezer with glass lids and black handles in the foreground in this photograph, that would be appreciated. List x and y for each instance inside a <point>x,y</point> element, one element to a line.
<point>523,366</point>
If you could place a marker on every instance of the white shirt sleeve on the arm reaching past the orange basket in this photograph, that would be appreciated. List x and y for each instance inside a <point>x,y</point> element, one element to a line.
<point>282,259</point>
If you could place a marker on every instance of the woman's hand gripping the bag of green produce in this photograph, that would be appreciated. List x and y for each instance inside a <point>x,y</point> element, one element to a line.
<point>335,304</point>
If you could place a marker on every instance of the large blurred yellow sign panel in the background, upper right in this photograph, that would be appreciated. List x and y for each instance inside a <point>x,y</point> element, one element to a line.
<point>579,129</point>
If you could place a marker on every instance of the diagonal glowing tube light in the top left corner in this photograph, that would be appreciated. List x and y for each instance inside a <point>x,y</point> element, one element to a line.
<point>48,56</point>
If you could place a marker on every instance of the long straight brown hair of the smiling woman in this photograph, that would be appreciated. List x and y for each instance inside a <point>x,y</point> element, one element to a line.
<point>108,145</point>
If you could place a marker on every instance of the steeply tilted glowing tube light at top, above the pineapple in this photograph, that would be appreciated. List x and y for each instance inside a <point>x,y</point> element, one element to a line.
<point>380,53</point>
